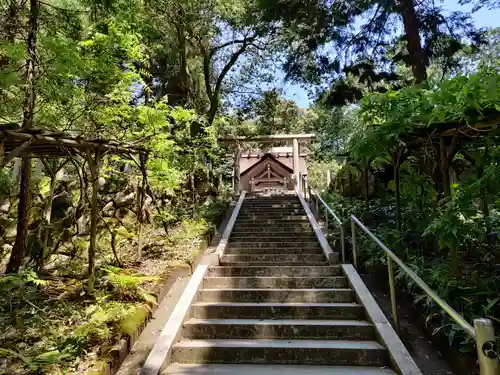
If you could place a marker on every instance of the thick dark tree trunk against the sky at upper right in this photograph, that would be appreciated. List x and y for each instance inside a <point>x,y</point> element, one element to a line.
<point>412,36</point>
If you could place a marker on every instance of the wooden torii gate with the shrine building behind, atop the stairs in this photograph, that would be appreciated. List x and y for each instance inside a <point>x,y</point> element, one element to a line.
<point>277,168</point>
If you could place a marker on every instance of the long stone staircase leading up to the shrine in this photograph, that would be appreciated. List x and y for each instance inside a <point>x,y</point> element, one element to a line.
<point>275,300</point>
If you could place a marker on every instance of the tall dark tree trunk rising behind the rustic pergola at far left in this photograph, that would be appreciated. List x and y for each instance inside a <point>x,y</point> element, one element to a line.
<point>20,246</point>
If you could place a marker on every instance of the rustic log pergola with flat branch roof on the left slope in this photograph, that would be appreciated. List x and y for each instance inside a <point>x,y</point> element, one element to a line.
<point>19,142</point>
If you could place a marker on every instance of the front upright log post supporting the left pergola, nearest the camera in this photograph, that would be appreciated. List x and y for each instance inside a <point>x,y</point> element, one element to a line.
<point>94,164</point>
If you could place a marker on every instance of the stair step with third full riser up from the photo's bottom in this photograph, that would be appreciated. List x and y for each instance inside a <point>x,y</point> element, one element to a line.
<point>287,310</point>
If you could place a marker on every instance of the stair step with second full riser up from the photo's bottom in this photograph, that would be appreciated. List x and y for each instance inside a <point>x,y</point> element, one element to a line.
<point>278,329</point>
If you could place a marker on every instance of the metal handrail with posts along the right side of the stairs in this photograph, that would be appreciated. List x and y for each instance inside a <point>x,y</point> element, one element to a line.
<point>482,332</point>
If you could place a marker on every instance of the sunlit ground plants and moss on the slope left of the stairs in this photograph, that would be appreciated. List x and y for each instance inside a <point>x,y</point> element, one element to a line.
<point>50,325</point>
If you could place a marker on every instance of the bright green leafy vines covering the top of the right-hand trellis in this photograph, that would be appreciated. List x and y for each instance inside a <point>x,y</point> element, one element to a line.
<point>462,98</point>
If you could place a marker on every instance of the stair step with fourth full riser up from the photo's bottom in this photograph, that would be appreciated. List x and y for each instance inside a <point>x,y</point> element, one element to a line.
<point>276,295</point>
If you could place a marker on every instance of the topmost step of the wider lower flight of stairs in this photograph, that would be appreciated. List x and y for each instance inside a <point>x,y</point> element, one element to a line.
<point>309,271</point>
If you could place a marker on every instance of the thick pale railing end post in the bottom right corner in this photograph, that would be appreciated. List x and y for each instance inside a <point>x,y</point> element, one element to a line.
<point>486,347</point>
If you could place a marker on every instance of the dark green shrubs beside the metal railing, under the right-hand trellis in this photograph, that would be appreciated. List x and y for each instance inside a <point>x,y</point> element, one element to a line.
<point>466,276</point>
